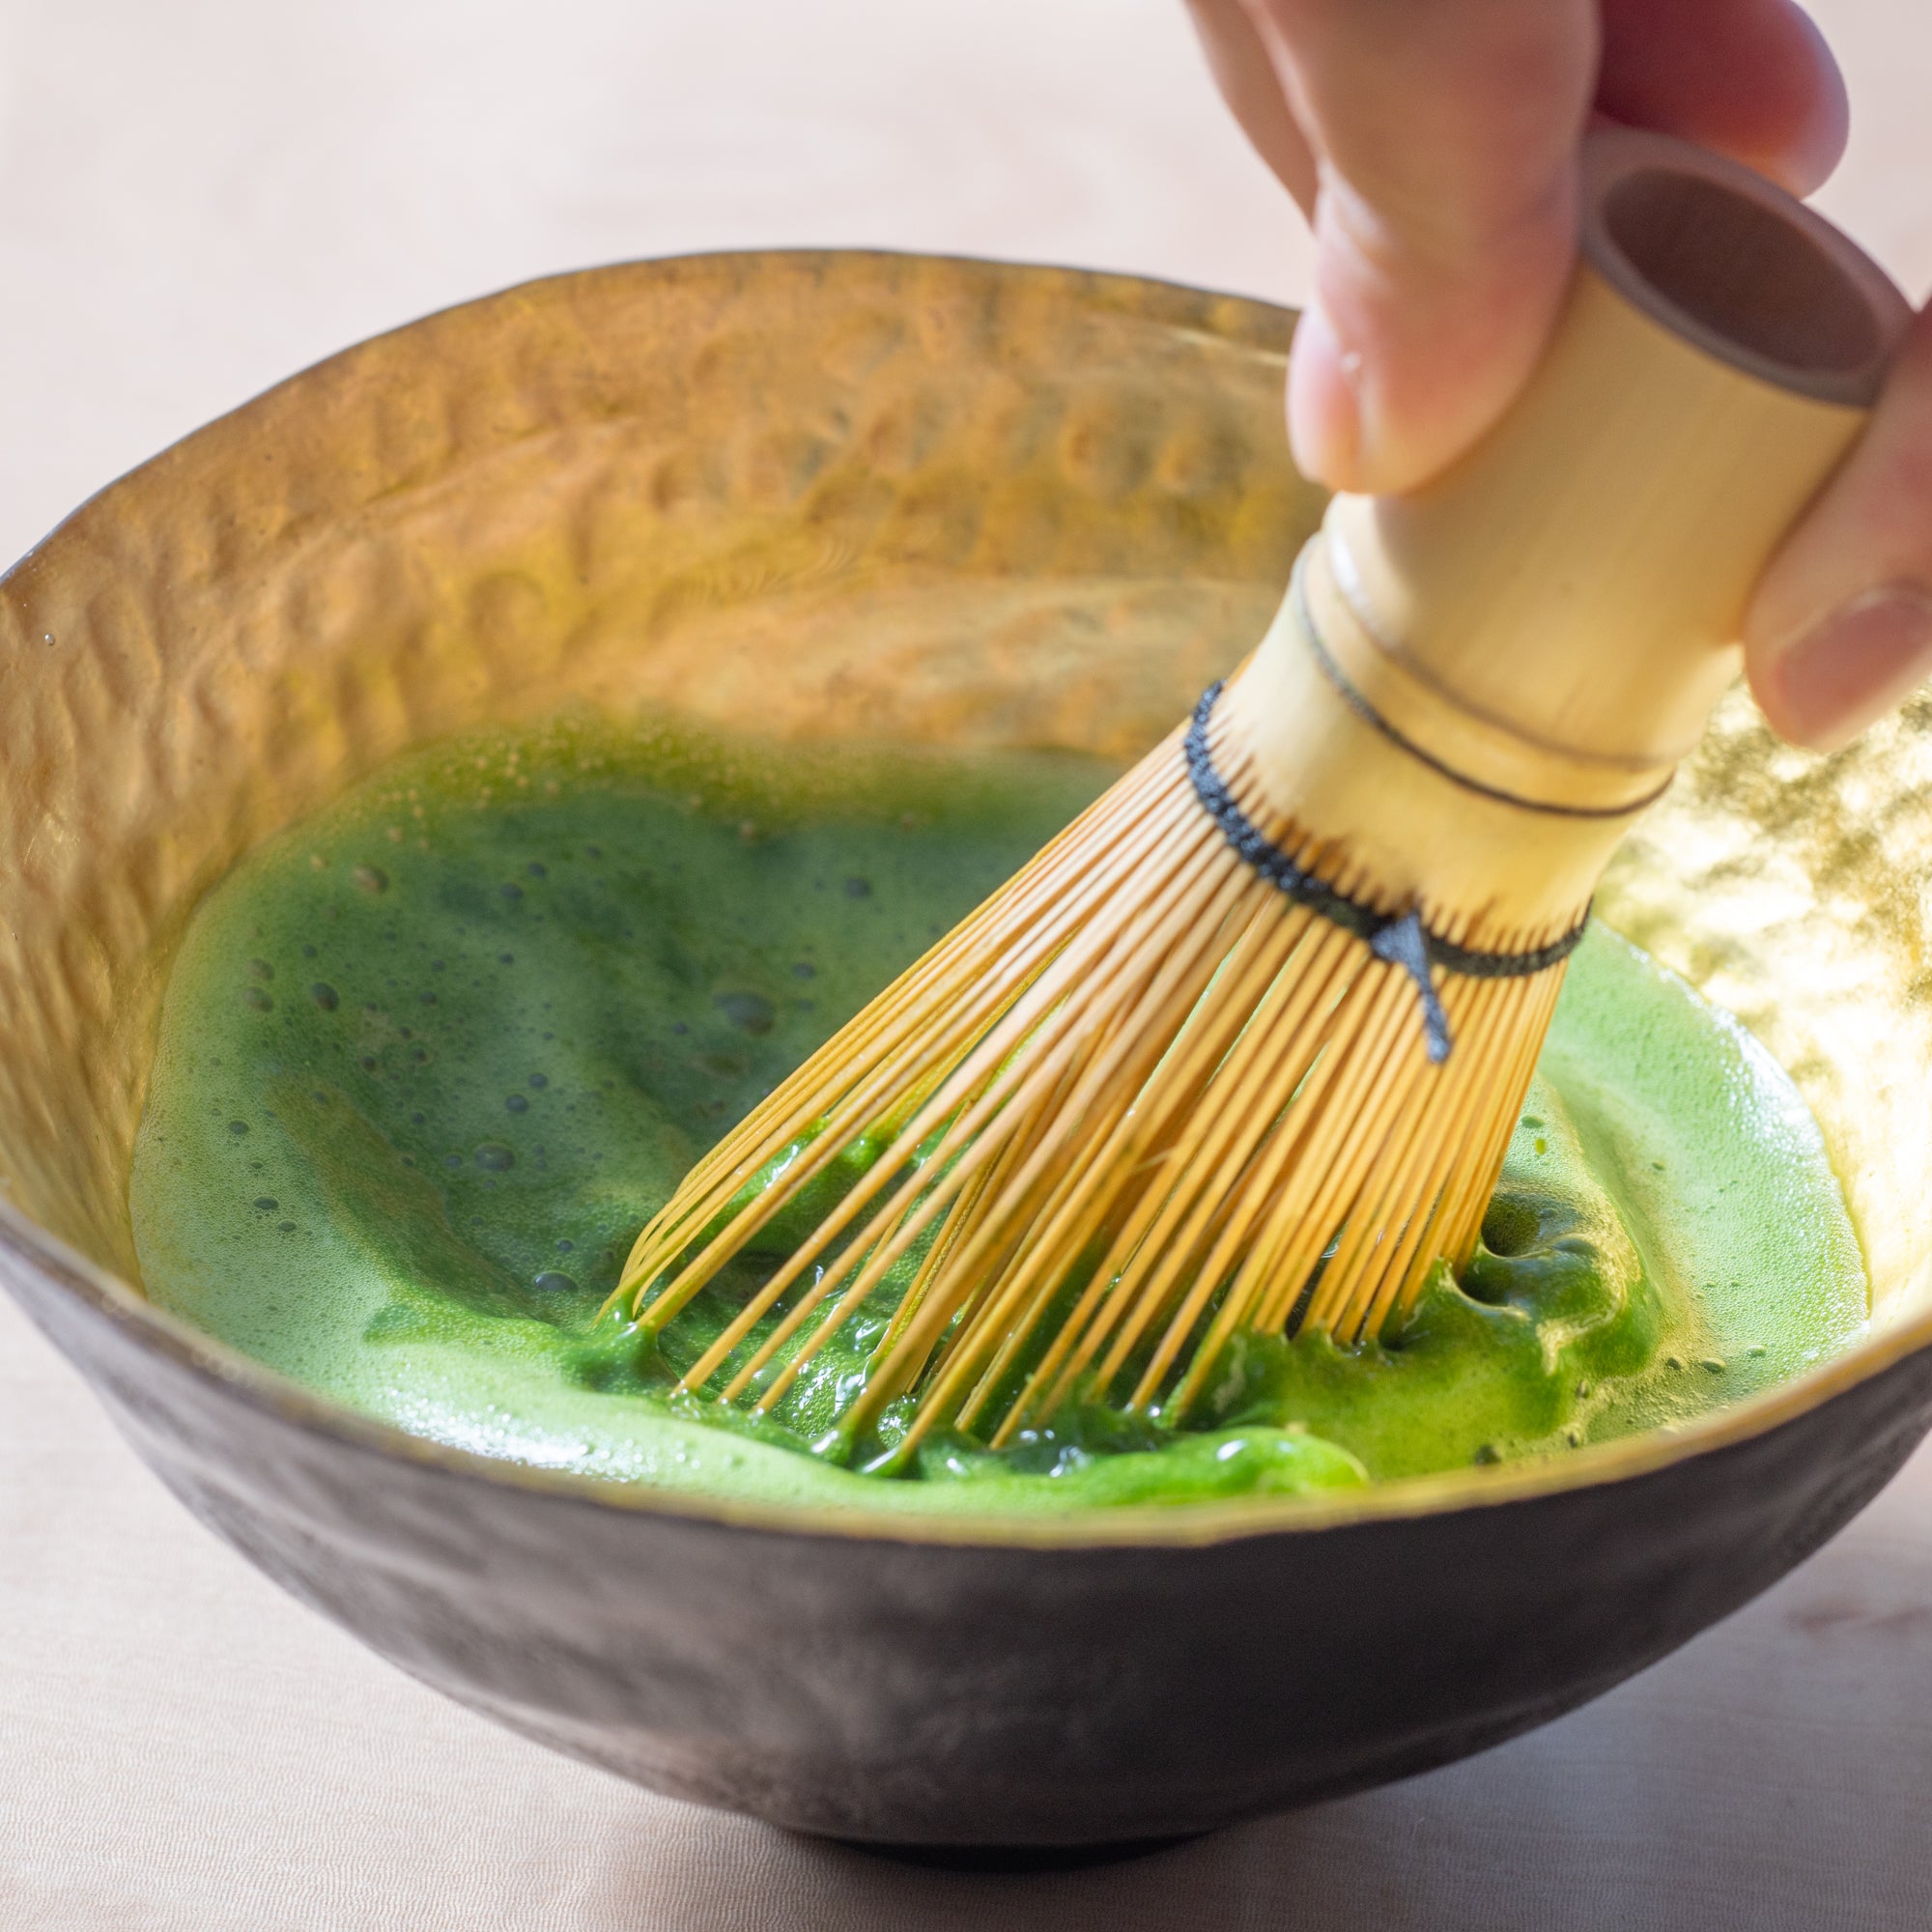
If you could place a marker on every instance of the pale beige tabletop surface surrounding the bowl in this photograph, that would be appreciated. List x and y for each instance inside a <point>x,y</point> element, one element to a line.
<point>200,196</point>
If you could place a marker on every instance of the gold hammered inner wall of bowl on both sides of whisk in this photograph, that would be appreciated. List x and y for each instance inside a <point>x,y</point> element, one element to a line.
<point>812,497</point>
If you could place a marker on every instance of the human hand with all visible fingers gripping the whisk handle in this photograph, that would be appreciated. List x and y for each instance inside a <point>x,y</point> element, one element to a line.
<point>1433,148</point>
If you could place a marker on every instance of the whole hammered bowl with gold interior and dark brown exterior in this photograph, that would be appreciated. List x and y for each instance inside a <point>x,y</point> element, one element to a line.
<point>830,497</point>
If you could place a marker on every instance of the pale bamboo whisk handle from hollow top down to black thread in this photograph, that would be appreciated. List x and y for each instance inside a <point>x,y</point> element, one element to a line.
<point>1547,627</point>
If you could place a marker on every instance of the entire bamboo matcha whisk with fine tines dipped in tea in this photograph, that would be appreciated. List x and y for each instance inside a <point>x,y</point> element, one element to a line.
<point>1245,1046</point>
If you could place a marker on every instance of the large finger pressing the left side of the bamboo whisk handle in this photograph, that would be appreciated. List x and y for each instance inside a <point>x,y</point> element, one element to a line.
<point>1446,138</point>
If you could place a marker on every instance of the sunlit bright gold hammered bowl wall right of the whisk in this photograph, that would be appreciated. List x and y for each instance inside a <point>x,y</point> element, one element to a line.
<point>1798,894</point>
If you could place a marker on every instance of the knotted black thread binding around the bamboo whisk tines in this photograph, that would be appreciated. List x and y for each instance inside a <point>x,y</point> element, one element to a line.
<point>1402,940</point>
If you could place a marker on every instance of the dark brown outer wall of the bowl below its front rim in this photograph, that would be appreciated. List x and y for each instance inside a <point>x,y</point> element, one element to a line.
<point>932,1693</point>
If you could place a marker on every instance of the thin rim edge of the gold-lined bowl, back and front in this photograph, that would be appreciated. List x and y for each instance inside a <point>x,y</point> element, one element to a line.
<point>109,1297</point>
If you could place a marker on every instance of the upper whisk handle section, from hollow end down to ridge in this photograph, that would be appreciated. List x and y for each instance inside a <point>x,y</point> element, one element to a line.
<point>1579,579</point>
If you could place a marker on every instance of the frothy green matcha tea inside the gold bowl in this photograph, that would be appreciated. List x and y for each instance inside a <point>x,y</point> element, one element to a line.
<point>432,1060</point>
